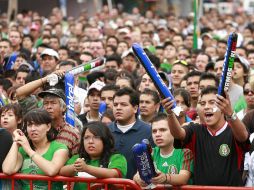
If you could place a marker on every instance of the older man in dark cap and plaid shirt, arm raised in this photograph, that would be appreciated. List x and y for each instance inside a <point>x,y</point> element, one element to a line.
<point>54,103</point>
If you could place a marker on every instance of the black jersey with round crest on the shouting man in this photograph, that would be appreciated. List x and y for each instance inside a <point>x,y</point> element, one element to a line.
<point>218,160</point>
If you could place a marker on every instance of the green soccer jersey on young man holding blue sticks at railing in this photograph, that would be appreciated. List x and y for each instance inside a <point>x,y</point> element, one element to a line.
<point>178,159</point>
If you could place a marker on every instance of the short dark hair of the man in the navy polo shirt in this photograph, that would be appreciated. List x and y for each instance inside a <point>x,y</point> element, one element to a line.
<point>134,96</point>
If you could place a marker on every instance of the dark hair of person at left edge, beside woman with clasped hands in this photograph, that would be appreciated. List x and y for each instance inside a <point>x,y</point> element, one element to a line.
<point>16,108</point>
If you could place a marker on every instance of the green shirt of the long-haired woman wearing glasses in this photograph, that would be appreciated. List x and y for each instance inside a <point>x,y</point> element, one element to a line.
<point>116,161</point>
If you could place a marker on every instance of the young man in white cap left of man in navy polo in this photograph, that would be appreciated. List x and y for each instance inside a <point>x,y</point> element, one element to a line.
<point>93,96</point>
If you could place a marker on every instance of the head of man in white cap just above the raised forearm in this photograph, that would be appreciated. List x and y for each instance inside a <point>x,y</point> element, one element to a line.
<point>49,60</point>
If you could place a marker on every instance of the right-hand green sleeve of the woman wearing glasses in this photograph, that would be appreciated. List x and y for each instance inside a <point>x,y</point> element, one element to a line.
<point>118,162</point>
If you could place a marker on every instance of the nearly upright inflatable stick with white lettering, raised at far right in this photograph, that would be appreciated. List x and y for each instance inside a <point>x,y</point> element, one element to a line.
<point>228,64</point>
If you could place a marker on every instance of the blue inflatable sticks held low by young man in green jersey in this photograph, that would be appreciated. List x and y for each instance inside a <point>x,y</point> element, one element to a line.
<point>144,162</point>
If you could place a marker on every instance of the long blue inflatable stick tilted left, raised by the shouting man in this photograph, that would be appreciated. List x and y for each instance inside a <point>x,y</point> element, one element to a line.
<point>151,71</point>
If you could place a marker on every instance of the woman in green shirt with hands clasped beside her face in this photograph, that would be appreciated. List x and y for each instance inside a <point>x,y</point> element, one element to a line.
<point>34,150</point>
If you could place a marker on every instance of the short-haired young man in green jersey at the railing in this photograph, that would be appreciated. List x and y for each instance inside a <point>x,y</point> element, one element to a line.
<point>174,166</point>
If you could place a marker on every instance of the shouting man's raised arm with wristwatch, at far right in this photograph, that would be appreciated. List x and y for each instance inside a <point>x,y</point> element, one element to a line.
<point>238,128</point>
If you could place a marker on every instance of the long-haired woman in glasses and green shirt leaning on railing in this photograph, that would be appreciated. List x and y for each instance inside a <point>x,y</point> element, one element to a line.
<point>97,156</point>
